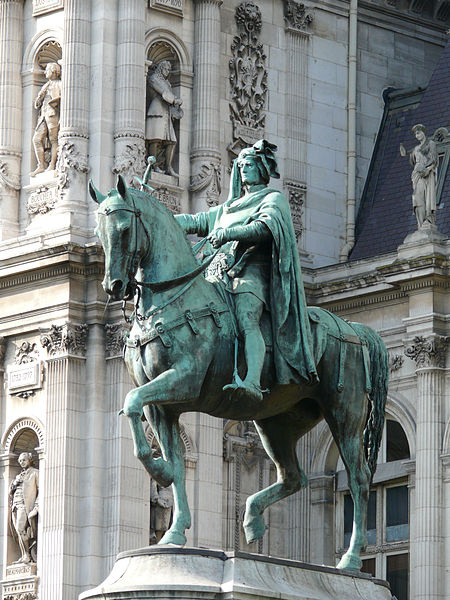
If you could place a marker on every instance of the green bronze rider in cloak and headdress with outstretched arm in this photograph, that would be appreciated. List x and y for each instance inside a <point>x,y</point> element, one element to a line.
<point>255,232</point>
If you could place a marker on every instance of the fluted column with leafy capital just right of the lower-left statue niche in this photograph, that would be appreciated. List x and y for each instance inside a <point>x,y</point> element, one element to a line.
<point>60,524</point>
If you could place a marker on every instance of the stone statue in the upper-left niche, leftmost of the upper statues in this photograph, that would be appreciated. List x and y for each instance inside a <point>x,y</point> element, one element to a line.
<point>46,133</point>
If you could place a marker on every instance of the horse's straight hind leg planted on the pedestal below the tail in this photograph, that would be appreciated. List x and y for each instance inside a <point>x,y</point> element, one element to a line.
<point>351,448</point>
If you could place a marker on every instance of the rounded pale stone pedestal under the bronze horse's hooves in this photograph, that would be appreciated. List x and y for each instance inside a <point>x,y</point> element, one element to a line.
<point>195,573</point>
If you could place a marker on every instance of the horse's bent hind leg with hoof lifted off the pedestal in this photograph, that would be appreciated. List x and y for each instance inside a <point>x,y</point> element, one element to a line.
<point>279,436</point>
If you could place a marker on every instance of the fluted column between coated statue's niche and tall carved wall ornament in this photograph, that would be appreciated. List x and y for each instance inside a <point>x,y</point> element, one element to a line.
<point>205,153</point>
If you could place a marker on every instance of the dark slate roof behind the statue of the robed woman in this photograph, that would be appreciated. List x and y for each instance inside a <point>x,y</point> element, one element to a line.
<point>385,215</point>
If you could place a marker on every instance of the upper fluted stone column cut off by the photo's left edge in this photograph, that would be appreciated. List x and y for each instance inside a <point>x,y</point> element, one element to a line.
<point>11,34</point>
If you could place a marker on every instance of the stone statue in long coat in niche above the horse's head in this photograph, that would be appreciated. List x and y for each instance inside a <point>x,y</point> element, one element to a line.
<point>164,107</point>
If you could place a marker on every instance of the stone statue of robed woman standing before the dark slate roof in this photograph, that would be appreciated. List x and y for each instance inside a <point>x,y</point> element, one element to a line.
<point>425,160</point>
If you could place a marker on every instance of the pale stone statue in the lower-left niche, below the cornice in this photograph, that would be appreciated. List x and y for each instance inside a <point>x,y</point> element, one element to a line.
<point>23,494</point>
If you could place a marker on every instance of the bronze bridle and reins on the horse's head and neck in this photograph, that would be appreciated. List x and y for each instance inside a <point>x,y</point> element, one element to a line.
<point>135,286</point>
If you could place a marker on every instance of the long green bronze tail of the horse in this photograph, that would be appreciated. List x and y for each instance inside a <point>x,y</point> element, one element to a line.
<point>379,378</point>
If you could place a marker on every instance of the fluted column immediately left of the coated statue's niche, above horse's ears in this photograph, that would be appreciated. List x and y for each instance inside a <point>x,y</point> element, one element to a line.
<point>130,90</point>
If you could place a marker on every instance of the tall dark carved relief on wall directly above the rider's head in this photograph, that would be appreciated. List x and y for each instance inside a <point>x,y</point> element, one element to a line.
<point>248,78</point>
